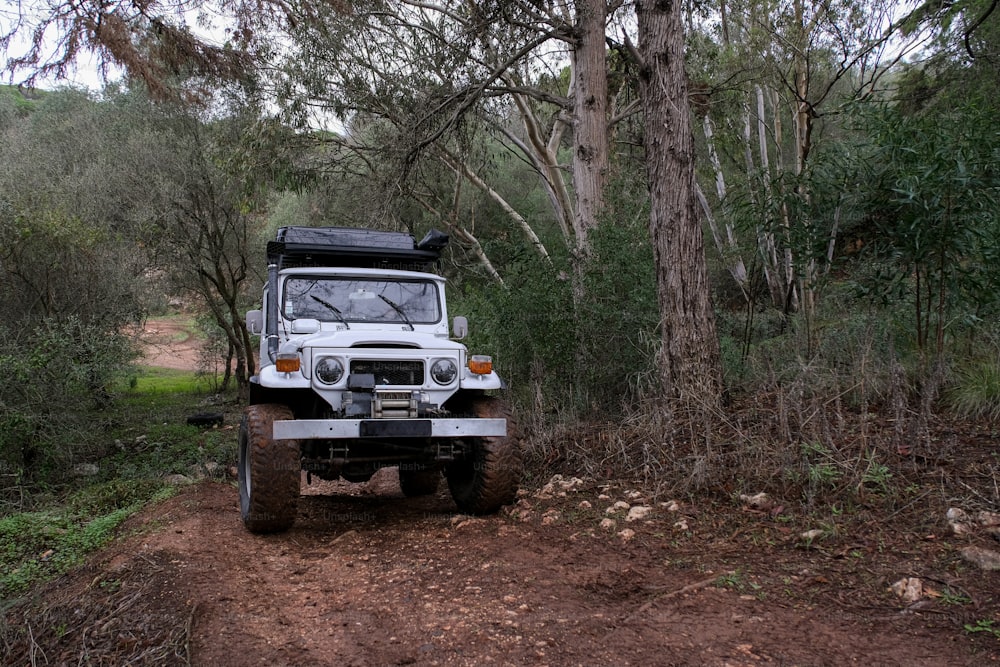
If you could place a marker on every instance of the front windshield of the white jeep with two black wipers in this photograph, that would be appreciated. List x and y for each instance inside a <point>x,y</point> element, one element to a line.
<point>361,300</point>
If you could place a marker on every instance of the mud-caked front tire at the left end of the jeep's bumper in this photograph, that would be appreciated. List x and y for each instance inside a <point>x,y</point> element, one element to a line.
<point>269,471</point>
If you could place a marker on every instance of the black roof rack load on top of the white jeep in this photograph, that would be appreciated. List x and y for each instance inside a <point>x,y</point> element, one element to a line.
<point>350,247</point>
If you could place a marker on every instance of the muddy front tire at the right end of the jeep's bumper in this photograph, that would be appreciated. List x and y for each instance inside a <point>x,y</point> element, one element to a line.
<point>488,478</point>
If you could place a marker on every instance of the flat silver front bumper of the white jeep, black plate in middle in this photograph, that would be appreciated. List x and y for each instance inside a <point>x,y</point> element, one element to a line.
<point>333,429</point>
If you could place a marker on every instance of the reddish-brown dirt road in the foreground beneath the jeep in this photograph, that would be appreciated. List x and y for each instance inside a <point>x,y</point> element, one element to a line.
<point>368,577</point>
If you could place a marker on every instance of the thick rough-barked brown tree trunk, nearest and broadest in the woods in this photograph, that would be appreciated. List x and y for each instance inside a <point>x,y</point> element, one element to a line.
<point>690,364</point>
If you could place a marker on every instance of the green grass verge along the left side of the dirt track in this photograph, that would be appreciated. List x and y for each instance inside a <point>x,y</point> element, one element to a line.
<point>134,443</point>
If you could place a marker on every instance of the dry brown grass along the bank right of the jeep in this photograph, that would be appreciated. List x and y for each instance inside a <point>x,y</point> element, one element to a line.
<point>809,440</point>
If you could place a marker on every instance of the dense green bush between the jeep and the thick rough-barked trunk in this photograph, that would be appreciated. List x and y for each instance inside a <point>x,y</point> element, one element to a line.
<point>571,355</point>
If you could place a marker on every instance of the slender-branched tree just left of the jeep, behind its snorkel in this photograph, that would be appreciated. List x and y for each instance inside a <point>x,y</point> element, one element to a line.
<point>207,222</point>
